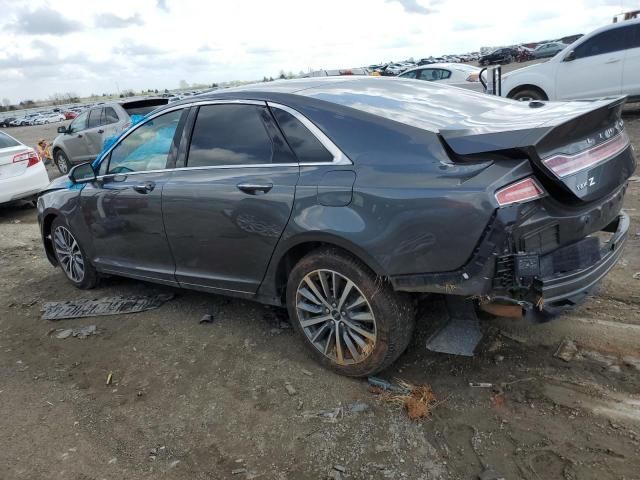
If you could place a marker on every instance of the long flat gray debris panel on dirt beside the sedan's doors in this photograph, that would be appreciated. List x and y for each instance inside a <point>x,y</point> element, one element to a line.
<point>103,306</point>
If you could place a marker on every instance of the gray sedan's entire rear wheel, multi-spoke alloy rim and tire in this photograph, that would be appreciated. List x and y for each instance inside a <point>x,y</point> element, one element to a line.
<point>351,322</point>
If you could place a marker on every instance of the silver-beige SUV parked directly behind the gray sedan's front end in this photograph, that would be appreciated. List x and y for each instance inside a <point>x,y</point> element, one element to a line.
<point>84,138</point>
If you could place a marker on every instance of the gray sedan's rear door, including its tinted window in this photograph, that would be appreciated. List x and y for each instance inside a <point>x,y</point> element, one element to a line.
<point>225,210</point>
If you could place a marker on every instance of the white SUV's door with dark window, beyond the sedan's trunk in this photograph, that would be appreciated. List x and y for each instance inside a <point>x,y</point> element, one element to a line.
<point>596,70</point>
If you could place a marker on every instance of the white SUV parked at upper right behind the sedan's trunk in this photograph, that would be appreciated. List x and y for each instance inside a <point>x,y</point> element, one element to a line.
<point>603,63</point>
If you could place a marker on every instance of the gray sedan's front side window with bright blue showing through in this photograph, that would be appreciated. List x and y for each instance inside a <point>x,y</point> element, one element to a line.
<point>147,147</point>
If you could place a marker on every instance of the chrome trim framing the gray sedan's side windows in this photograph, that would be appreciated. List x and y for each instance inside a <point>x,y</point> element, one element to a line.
<point>339,158</point>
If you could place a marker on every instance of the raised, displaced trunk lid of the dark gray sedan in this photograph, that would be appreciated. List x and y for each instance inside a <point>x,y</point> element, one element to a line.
<point>579,150</point>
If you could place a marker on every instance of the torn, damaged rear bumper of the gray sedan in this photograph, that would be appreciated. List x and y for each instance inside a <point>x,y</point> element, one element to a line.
<point>534,271</point>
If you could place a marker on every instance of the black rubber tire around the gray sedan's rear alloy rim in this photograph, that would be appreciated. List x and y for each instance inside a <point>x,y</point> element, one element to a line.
<point>393,313</point>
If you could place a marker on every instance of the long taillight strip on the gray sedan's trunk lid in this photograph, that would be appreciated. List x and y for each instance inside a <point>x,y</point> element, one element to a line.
<point>563,165</point>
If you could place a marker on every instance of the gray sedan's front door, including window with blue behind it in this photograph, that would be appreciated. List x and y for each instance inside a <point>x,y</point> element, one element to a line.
<point>123,209</point>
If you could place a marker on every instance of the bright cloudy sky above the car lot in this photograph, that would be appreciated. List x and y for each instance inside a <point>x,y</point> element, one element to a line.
<point>89,46</point>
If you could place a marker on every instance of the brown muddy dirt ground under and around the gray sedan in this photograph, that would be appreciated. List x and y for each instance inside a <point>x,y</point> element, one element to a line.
<point>208,401</point>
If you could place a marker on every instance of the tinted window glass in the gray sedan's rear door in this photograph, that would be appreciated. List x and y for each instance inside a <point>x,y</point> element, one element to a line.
<point>229,135</point>
